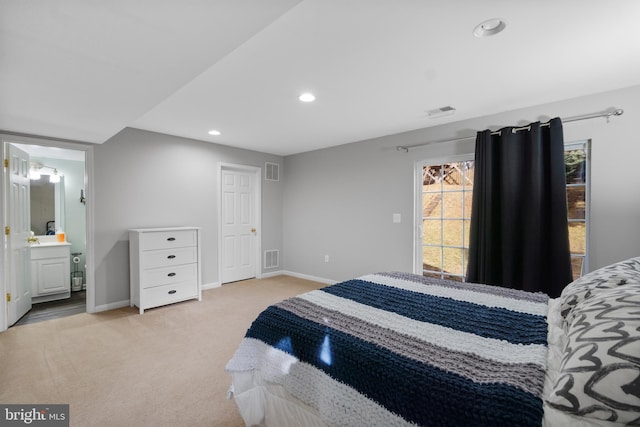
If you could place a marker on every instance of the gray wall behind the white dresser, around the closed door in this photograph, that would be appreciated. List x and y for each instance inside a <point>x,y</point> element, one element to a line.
<point>146,179</point>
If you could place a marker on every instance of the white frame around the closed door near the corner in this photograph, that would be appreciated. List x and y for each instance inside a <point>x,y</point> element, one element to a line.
<point>257,191</point>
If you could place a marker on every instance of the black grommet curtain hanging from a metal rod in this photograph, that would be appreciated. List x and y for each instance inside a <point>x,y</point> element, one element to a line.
<point>519,236</point>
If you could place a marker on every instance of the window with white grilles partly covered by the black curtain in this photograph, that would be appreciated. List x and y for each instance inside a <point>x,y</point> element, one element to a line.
<point>445,196</point>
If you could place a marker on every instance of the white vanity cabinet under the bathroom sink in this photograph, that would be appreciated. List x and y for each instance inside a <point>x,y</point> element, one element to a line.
<point>50,272</point>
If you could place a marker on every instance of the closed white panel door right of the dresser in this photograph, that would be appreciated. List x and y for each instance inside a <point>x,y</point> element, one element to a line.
<point>238,225</point>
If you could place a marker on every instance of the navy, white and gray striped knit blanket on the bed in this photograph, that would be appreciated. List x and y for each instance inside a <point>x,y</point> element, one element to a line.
<point>399,349</point>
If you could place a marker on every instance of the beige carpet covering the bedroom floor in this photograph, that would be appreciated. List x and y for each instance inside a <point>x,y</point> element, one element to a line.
<point>119,368</point>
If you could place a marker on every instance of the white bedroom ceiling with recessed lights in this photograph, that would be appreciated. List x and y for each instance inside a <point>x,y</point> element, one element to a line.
<point>84,70</point>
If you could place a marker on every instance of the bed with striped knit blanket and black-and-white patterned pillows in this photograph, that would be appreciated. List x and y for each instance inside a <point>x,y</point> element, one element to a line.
<point>392,349</point>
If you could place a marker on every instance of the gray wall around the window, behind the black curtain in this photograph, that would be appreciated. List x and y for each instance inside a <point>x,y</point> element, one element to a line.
<point>339,201</point>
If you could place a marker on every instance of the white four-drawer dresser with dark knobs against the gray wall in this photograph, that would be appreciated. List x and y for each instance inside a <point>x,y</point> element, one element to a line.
<point>165,266</point>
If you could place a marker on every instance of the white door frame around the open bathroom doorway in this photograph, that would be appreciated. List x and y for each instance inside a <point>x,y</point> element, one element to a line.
<point>8,138</point>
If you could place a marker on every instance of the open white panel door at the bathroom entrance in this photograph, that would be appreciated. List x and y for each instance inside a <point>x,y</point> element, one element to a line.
<point>19,262</point>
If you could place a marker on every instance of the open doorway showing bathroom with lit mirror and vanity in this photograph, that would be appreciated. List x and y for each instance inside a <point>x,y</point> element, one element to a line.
<point>63,213</point>
